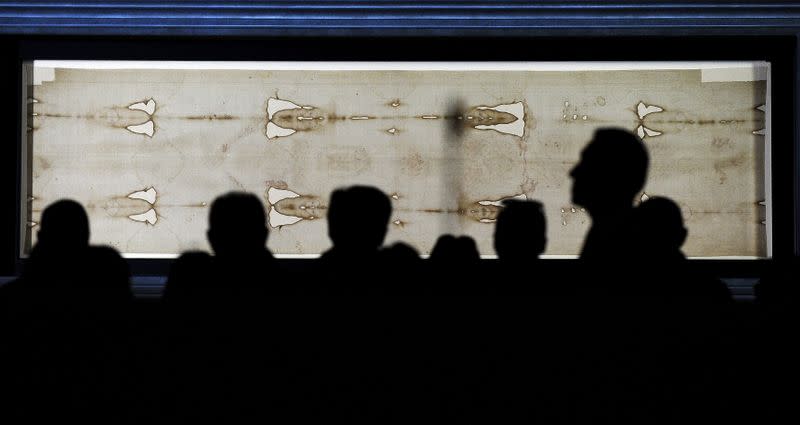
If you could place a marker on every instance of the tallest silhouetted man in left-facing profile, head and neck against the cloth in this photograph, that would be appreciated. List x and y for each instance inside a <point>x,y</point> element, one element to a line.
<point>612,170</point>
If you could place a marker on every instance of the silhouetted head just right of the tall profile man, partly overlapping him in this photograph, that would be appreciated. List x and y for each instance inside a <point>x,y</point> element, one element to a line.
<point>659,226</point>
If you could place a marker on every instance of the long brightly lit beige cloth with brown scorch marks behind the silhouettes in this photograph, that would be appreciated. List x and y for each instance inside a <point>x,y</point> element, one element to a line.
<point>147,146</point>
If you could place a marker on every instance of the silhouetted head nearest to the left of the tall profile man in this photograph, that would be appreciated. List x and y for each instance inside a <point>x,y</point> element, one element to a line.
<point>520,231</point>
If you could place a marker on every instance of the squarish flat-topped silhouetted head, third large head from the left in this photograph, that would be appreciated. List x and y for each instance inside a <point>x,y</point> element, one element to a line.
<point>358,218</point>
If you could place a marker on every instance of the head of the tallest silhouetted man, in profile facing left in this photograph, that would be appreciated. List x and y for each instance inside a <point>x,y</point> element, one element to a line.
<point>612,169</point>
